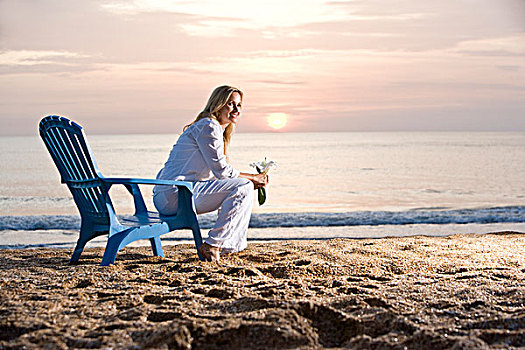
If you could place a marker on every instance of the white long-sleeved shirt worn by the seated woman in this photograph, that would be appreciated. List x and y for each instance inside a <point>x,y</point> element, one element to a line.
<point>198,155</point>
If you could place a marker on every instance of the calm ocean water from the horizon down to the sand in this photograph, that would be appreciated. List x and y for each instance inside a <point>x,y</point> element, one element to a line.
<point>326,185</point>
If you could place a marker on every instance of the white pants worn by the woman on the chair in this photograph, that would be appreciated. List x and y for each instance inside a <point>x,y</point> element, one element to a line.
<point>234,200</point>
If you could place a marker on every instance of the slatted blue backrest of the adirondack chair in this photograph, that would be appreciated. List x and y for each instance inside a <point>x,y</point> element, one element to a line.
<point>72,155</point>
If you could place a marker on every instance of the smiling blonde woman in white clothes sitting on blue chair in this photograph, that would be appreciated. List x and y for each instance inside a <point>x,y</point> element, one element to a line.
<point>200,156</point>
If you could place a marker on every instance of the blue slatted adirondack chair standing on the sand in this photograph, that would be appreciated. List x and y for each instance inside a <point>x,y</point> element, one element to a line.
<point>68,146</point>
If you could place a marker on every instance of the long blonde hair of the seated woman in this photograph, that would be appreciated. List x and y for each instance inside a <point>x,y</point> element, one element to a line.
<point>218,99</point>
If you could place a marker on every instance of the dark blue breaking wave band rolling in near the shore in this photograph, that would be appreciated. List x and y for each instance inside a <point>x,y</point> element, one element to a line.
<point>439,216</point>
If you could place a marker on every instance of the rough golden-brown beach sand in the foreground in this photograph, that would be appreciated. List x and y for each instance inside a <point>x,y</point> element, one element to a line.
<point>459,292</point>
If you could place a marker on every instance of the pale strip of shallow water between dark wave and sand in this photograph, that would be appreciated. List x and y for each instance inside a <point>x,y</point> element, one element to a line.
<point>66,239</point>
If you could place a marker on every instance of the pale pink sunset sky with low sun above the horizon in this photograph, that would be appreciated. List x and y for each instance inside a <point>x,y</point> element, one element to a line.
<point>119,67</point>
